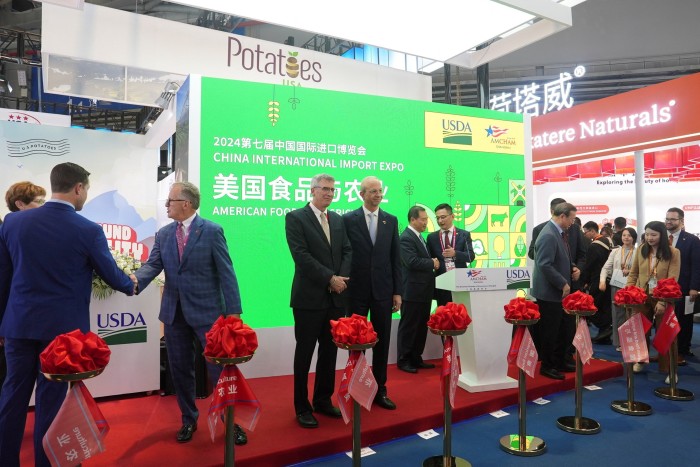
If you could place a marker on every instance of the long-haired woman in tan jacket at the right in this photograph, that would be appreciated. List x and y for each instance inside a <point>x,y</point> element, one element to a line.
<point>655,260</point>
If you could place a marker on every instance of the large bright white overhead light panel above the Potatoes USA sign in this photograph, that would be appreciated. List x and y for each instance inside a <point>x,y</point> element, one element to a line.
<point>448,32</point>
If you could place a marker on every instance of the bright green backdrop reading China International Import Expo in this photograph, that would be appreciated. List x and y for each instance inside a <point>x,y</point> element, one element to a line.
<point>261,144</point>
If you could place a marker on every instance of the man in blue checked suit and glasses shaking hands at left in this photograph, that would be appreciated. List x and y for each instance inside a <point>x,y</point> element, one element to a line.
<point>200,286</point>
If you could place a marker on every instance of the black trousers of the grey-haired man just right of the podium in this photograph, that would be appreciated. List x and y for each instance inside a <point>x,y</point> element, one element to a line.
<point>553,333</point>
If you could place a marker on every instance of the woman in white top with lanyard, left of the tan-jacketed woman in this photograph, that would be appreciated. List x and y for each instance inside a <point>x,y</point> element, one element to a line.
<point>617,268</point>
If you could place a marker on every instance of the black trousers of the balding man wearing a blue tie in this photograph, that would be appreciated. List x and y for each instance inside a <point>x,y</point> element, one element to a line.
<point>379,312</point>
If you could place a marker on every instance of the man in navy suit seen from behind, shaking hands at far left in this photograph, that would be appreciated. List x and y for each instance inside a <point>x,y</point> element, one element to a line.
<point>47,257</point>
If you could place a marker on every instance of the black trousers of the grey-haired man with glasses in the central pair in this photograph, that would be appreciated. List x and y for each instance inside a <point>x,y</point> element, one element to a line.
<point>310,327</point>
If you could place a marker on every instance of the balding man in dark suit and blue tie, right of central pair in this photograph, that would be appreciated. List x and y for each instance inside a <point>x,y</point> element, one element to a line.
<point>375,279</point>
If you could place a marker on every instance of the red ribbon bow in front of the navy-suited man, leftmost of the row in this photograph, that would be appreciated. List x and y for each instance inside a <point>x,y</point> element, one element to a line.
<point>75,352</point>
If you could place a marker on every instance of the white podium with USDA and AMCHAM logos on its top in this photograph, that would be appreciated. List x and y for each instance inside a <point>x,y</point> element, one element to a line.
<point>484,347</point>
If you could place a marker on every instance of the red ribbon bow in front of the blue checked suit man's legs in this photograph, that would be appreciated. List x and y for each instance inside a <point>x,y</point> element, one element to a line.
<point>230,337</point>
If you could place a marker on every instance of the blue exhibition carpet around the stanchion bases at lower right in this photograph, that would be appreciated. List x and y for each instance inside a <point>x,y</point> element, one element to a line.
<point>666,437</point>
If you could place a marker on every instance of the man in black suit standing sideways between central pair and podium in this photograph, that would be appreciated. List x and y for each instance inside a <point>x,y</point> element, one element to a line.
<point>418,289</point>
